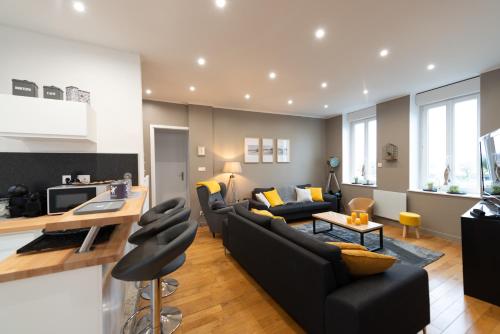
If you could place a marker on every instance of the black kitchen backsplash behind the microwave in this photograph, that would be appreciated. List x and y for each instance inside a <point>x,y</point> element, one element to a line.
<point>38,171</point>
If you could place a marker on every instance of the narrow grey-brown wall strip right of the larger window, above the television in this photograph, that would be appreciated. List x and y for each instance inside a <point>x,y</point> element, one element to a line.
<point>490,101</point>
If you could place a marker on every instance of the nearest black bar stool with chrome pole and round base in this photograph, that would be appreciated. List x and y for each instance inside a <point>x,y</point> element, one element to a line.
<point>156,257</point>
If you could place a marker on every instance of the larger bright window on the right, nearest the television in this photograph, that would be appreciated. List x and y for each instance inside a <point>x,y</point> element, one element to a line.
<point>450,144</point>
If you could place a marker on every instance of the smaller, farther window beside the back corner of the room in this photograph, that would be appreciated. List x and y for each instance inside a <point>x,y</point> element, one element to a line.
<point>363,159</point>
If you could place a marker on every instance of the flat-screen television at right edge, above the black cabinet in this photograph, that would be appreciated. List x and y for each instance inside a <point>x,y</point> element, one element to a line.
<point>489,146</point>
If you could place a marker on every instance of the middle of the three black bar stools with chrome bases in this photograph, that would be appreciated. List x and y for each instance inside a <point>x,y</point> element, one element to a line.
<point>168,285</point>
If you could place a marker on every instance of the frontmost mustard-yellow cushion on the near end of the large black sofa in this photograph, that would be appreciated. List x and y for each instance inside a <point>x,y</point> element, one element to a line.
<point>364,263</point>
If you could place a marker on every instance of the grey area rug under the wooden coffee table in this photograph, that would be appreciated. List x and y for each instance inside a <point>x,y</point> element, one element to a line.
<point>405,252</point>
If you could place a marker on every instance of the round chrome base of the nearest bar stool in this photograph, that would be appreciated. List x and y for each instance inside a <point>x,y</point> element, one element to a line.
<point>171,319</point>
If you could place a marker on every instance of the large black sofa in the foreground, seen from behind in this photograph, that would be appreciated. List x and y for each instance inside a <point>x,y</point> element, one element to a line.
<point>309,280</point>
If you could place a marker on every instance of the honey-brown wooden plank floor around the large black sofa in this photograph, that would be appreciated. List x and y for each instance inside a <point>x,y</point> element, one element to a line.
<point>217,296</point>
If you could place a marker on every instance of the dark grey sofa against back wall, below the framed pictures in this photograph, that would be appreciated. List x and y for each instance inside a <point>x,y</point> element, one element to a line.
<point>292,210</point>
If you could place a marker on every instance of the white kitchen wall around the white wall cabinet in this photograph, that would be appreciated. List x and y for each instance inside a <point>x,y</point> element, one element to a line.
<point>112,77</point>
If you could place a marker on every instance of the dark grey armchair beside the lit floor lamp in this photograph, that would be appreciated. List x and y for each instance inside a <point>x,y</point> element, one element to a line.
<point>214,207</point>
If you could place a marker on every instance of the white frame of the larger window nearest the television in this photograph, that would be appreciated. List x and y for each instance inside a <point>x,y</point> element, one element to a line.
<point>450,143</point>
